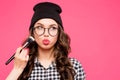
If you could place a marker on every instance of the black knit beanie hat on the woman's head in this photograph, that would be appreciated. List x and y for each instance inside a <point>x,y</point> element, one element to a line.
<point>46,10</point>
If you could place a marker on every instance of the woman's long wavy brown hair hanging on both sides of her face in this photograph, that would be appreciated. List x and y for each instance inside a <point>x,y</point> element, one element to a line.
<point>61,52</point>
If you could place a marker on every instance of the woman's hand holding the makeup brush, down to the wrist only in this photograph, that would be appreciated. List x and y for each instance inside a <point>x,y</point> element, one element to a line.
<point>21,58</point>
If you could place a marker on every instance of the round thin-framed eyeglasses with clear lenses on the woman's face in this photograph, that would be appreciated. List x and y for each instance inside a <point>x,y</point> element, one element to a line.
<point>53,31</point>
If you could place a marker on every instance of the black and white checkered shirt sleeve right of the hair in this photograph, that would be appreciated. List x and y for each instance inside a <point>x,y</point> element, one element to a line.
<point>80,73</point>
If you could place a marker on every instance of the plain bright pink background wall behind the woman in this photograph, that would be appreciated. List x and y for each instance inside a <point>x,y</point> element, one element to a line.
<point>93,25</point>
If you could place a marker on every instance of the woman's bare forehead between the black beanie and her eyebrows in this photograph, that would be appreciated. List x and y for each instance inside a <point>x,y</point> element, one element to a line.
<point>46,21</point>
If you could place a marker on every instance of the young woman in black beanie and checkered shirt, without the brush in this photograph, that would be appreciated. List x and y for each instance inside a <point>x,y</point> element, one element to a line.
<point>47,57</point>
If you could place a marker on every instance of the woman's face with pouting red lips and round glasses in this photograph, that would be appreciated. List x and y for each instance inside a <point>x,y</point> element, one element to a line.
<point>46,33</point>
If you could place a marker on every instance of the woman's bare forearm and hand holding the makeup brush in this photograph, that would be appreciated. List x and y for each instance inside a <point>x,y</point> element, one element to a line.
<point>20,62</point>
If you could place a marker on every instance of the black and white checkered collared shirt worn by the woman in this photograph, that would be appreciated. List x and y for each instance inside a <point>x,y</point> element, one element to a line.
<point>41,73</point>
